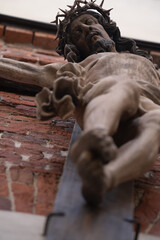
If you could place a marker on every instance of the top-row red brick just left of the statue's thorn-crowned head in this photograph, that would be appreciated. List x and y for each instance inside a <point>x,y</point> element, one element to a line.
<point>45,40</point>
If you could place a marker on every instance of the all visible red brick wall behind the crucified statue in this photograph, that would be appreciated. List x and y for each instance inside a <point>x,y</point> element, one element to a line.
<point>32,153</point>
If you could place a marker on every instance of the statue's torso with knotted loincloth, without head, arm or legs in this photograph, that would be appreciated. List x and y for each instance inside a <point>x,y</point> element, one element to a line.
<point>76,84</point>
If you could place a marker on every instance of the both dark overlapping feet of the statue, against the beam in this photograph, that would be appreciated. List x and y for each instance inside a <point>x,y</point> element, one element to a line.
<point>91,152</point>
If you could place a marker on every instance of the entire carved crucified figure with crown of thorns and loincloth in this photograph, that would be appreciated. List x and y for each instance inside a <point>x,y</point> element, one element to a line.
<point>113,90</point>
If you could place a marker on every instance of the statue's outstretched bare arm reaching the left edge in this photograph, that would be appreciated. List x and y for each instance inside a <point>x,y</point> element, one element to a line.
<point>22,72</point>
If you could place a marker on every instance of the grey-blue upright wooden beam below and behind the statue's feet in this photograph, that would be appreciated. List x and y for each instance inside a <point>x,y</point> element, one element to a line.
<point>72,219</point>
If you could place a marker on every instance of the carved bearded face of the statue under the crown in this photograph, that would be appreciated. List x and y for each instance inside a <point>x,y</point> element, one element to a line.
<point>89,36</point>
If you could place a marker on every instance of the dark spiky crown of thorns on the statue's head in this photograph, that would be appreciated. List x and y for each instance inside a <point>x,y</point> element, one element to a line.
<point>78,8</point>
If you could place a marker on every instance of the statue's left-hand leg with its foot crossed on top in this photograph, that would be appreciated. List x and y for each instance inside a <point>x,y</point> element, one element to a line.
<point>103,114</point>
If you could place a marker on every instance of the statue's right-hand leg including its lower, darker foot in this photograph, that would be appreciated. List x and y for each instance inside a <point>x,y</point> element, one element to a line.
<point>133,159</point>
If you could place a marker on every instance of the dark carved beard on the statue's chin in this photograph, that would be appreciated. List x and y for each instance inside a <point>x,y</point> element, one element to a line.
<point>103,45</point>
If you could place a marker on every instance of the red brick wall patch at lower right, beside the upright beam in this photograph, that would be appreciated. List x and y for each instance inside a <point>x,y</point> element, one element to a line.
<point>147,200</point>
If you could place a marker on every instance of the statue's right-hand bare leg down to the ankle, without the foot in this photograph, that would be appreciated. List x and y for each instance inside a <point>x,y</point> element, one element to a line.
<point>138,155</point>
